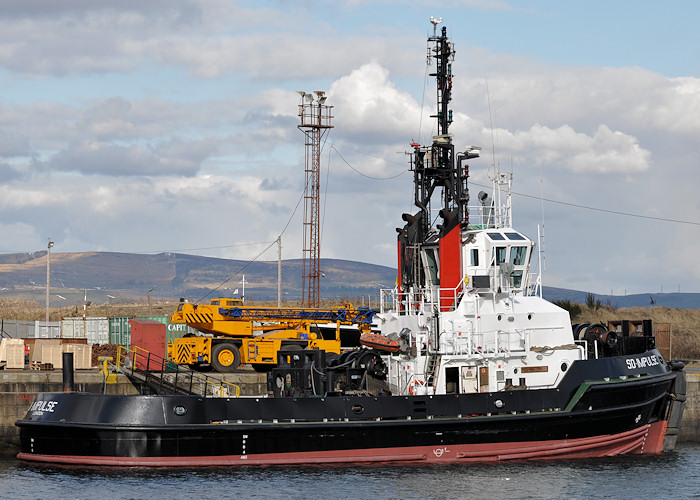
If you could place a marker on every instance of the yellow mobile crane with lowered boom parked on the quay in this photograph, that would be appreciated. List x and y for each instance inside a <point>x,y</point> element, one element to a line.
<point>250,334</point>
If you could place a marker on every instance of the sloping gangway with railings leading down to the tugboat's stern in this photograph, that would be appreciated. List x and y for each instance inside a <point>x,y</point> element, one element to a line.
<point>167,376</point>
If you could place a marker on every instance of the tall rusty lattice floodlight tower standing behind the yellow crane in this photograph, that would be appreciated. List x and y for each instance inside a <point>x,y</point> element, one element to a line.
<point>315,123</point>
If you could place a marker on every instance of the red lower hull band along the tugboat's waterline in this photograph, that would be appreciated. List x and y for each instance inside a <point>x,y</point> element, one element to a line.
<point>647,439</point>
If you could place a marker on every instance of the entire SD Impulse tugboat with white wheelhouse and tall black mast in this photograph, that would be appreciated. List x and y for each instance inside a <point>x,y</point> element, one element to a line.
<point>468,363</point>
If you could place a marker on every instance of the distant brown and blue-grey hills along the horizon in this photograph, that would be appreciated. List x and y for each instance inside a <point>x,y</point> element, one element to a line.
<point>114,277</point>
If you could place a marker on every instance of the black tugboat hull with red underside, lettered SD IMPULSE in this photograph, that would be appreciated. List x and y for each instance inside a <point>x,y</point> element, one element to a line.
<point>589,415</point>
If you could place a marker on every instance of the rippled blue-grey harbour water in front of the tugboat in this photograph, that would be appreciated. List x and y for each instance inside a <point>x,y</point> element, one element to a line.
<point>674,475</point>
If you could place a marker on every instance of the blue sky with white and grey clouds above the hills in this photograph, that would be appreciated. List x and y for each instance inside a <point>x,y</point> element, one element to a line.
<point>171,126</point>
